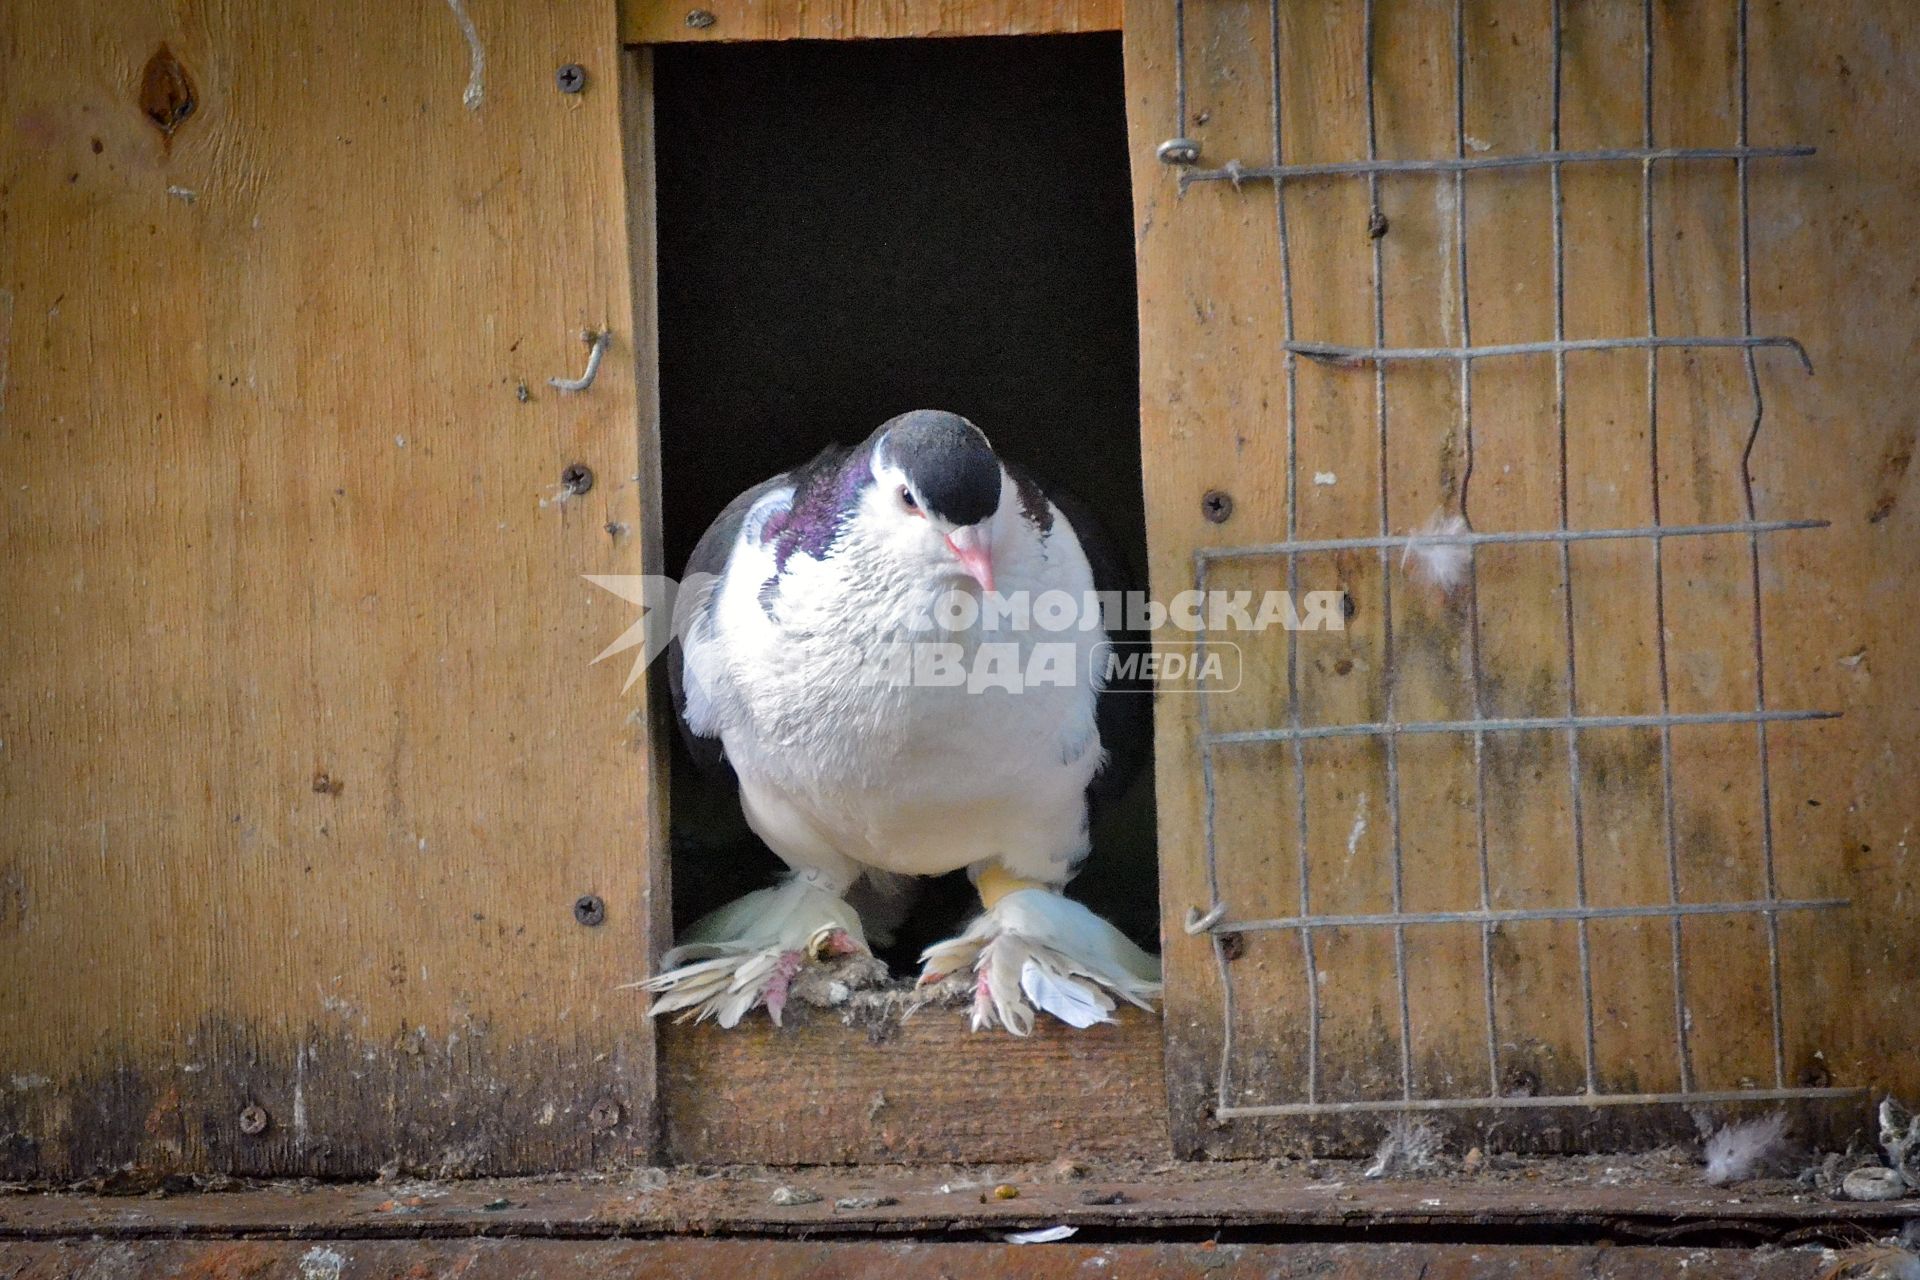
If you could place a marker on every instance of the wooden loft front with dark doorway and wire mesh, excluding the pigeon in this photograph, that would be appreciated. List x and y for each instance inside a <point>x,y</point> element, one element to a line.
<point>329,849</point>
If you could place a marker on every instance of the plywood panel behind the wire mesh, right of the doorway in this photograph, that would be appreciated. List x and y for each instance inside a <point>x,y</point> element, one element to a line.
<point>1835,264</point>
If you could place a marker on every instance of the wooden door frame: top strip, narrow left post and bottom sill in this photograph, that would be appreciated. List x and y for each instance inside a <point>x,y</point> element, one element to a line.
<point>924,1089</point>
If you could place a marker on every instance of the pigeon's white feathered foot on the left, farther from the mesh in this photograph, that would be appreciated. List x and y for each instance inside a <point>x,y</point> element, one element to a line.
<point>748,953</point>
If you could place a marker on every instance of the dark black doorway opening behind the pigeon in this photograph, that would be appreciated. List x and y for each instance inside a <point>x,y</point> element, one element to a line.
<point>855,229</point>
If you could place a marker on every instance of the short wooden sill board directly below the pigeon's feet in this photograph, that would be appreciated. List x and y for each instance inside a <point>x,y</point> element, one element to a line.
<point>926,1089</point>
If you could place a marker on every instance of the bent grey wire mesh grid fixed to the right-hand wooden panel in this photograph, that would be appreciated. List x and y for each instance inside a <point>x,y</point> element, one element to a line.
<point>1389,732</point>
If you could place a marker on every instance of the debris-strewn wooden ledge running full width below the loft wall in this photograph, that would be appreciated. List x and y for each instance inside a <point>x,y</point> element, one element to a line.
<point>1623,1198</point>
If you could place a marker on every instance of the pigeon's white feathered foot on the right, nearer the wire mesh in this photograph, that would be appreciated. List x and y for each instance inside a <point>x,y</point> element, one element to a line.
<point>1042,947</point>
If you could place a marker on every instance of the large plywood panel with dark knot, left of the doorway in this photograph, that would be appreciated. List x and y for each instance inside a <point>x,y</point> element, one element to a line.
<point>304,755</point>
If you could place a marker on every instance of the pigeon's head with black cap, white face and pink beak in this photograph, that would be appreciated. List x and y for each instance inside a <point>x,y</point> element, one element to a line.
<point>936,492</point>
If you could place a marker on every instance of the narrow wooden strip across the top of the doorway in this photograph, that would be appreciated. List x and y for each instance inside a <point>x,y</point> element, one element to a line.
<point>654,22</point>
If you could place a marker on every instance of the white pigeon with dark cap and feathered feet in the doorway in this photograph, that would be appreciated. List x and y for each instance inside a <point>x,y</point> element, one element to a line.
<point>896,653</point>
